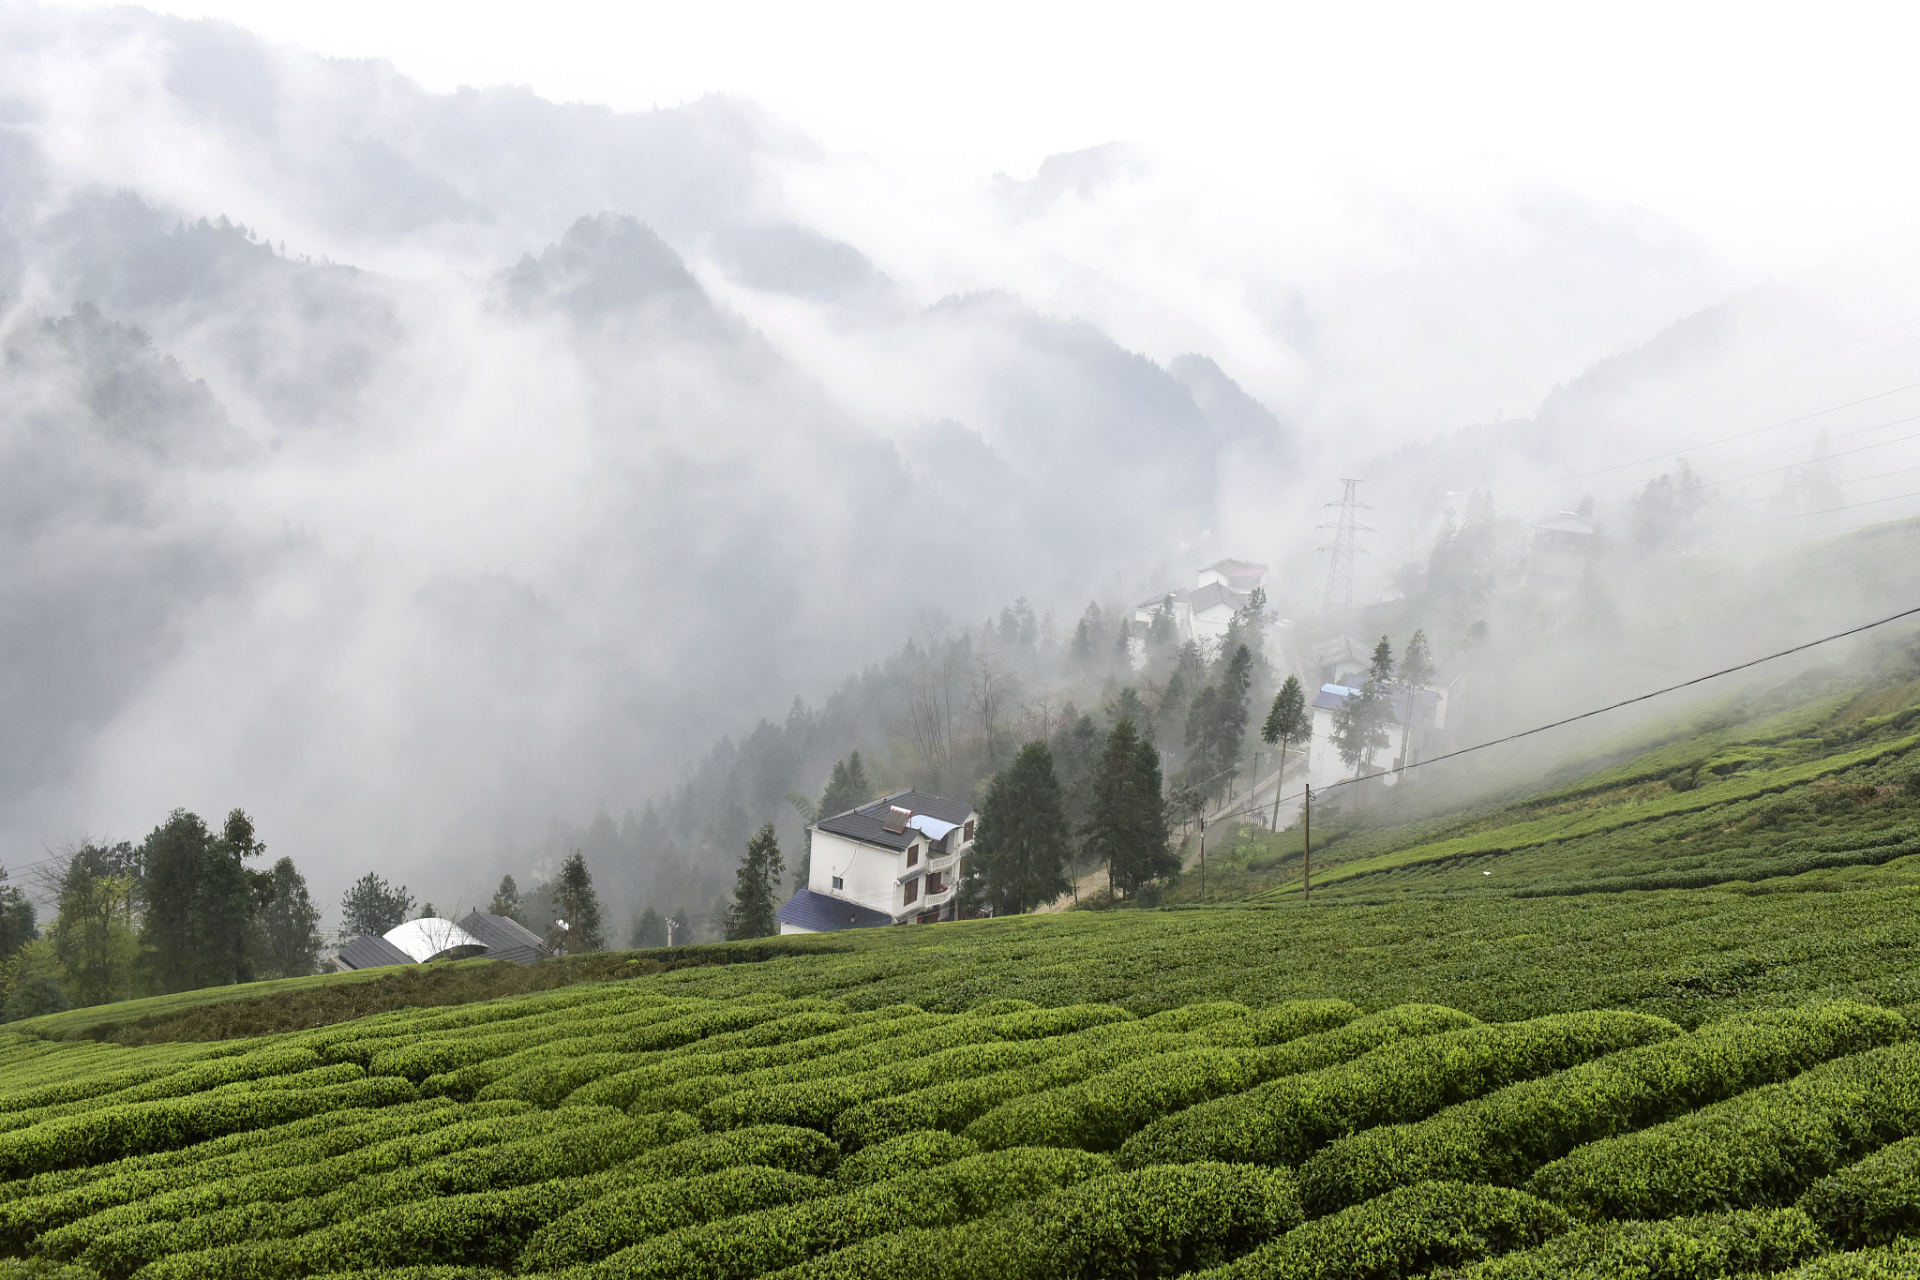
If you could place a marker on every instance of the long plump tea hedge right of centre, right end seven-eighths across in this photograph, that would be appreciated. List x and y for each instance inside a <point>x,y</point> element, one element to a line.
<point>1401,1081</point>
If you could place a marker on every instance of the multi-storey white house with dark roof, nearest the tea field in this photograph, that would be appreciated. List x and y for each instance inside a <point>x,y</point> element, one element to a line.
<point>886,863</point>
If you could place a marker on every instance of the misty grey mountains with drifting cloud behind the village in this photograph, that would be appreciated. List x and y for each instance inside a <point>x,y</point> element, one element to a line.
<point>429,473</point>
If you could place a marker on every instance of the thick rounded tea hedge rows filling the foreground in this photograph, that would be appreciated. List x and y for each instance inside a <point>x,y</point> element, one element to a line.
<point>631,1129</point>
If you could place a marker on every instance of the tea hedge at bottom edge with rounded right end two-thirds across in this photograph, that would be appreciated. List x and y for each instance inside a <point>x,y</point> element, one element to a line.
<point>1159,1221</point>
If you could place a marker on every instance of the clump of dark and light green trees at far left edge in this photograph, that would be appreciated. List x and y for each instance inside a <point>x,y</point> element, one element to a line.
<point>176,913</point>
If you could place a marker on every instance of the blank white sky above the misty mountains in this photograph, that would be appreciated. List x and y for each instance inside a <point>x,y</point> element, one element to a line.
<point>1781,133</point>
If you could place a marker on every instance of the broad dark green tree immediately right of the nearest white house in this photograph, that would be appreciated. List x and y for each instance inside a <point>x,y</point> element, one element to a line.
<point>1022,845</point>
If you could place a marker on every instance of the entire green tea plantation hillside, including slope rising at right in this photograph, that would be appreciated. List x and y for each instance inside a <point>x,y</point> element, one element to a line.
<point>1564,1074</point>
